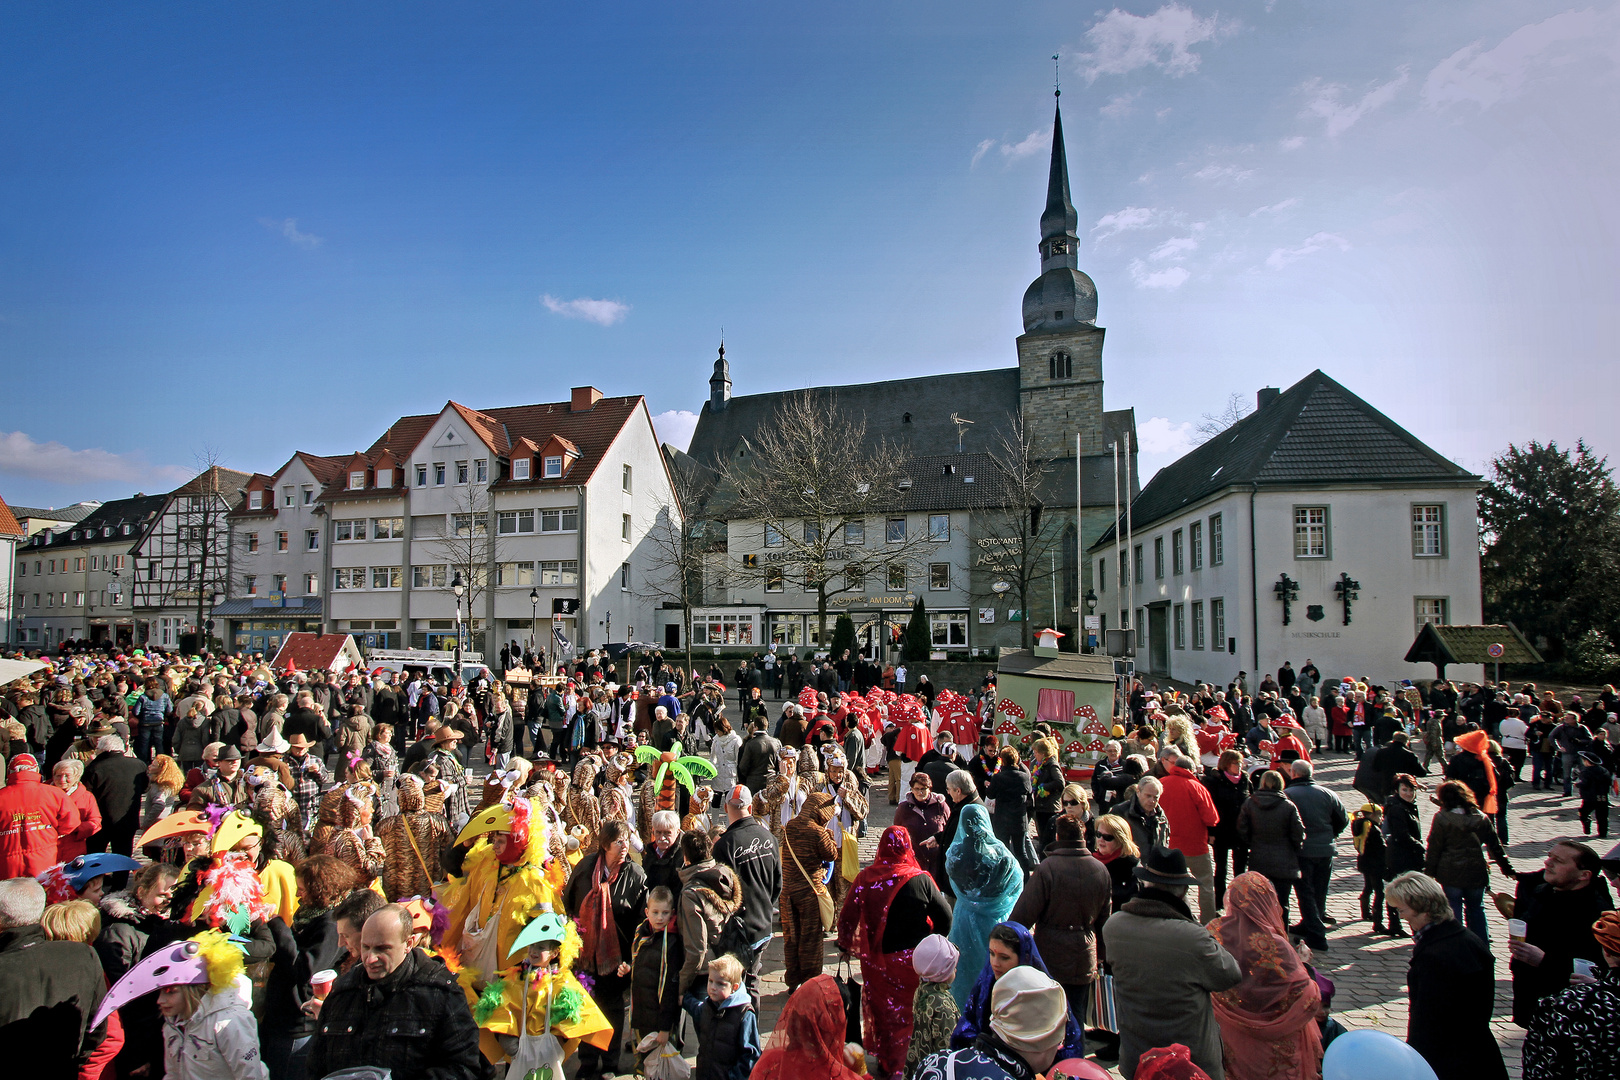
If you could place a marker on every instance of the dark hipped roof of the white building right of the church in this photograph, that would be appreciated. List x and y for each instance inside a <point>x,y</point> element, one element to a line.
<point>1313,433</point>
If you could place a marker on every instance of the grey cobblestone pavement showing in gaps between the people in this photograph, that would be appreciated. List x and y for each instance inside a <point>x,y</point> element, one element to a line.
<point>1368,972</point>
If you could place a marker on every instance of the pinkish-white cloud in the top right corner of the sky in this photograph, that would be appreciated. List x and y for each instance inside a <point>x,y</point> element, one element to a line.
<point>1530,53</point>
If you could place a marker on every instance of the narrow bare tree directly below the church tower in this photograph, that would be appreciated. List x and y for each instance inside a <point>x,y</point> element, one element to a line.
<point>1017,540</point>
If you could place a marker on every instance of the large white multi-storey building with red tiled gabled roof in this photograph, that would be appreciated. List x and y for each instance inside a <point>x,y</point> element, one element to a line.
<point>542,511</point>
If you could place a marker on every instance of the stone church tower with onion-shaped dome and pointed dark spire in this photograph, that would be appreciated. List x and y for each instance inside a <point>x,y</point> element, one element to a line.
<point>1062,349</point>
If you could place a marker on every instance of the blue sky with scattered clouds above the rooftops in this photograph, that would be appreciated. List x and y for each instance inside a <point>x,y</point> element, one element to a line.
<point>276,227</point>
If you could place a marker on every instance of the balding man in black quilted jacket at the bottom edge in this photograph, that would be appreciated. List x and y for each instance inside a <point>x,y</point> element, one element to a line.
<point>398,1010</point>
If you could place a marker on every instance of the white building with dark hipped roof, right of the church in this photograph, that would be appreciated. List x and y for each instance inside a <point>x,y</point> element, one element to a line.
<point>1315,529</point>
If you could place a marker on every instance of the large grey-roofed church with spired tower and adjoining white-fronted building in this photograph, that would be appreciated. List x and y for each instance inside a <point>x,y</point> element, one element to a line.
<point>950,428</point>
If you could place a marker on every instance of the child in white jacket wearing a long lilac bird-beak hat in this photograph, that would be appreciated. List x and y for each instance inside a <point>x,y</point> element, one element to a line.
<point>210,1032</point>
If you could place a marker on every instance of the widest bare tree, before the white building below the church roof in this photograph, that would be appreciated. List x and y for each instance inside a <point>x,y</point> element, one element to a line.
<point>812,504</point>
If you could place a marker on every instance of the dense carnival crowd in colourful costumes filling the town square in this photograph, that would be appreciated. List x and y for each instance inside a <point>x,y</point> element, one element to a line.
<point>216,869</point>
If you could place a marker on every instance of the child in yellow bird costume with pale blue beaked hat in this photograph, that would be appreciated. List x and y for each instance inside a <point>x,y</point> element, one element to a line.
<point>535,998</point>
